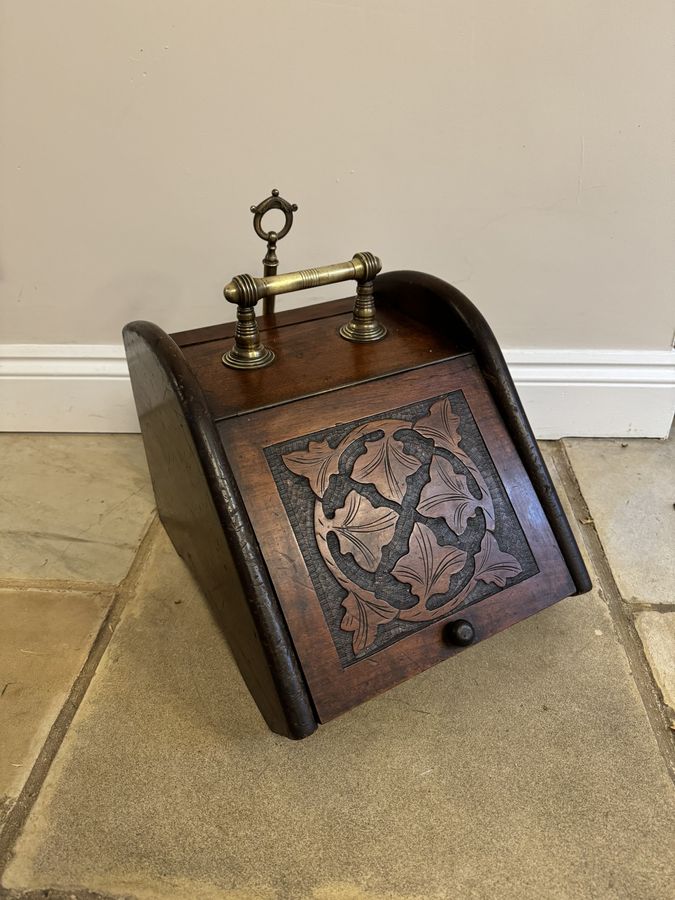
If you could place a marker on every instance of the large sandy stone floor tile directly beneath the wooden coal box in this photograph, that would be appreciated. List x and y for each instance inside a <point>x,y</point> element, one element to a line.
<point>525,767</point>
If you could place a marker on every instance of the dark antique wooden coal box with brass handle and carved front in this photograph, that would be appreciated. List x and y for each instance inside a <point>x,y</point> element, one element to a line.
<point>354,484</point>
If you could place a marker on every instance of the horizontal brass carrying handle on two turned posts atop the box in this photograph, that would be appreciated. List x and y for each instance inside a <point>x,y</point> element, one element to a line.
<point>248,351</point>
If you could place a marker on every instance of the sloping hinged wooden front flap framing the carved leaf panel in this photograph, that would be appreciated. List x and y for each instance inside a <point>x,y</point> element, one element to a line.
<point>386,510</point>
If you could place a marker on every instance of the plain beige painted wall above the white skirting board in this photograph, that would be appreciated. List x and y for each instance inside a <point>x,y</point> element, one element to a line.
<point>521,149</point>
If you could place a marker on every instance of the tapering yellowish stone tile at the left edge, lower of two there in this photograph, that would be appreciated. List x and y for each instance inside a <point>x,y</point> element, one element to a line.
<point>45,638</point>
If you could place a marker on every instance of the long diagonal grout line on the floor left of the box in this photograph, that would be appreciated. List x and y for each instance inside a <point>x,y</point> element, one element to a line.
<point>19,813</point>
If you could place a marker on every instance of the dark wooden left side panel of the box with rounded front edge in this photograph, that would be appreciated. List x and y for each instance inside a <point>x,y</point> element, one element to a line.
<point>206,521</point>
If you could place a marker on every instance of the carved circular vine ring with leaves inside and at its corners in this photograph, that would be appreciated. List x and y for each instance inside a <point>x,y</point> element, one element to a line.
<point>394,481</point>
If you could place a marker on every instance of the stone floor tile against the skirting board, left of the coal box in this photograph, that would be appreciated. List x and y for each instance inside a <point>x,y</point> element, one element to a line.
<point>73,507</point>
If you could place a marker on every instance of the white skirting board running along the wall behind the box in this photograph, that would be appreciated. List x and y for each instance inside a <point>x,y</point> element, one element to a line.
<point>566,393</point>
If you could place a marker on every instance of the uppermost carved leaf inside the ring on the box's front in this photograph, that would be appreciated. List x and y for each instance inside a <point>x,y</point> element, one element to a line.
<point>385,462</point>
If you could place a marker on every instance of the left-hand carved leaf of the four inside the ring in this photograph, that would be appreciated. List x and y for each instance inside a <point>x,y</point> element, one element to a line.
<point>363,529</point>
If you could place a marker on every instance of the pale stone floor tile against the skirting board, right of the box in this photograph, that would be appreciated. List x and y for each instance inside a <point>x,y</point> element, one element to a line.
<point>629,487</point>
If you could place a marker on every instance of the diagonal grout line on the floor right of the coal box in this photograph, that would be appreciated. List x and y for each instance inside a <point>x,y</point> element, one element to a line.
<point>655,708</point>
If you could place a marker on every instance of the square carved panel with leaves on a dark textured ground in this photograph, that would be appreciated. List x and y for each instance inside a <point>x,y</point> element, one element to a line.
<point>401,518</point>
